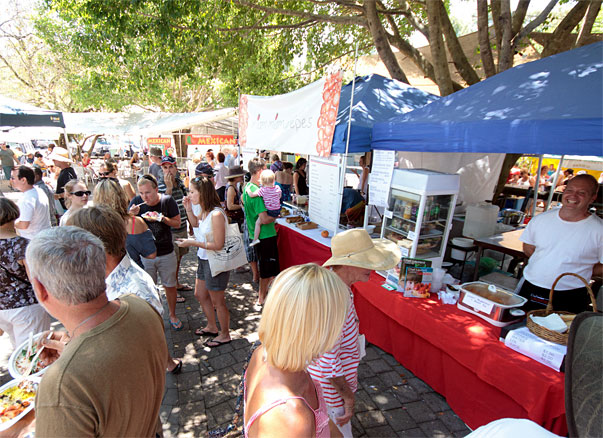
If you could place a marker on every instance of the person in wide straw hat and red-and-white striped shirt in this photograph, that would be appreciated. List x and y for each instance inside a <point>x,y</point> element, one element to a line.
<point>354,256</point>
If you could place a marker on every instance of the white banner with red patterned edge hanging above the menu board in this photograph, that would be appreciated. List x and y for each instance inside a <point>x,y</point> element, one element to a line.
<point>302,121</point>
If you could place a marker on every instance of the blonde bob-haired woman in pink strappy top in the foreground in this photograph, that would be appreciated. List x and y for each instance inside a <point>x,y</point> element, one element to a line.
<point>302,319</point>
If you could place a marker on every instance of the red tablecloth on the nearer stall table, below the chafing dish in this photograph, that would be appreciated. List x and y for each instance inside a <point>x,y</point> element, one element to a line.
<point>460,356</point>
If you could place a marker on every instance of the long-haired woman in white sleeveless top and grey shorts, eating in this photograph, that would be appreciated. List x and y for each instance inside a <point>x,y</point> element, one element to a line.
<point>207,217</point>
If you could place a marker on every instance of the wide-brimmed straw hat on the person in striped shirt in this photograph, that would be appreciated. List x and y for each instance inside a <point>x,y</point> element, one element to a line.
<point>356,248</point>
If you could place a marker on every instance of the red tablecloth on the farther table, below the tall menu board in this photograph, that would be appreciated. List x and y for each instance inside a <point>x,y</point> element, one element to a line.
<point>296,249</point>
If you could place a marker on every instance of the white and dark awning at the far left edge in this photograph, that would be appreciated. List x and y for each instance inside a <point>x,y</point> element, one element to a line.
<point>14,114</point>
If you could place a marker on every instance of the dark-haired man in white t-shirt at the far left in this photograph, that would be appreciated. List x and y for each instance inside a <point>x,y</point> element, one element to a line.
<point>33,205</point>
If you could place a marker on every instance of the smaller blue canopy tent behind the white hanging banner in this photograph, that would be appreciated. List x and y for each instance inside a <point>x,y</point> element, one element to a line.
<point>376,99</point>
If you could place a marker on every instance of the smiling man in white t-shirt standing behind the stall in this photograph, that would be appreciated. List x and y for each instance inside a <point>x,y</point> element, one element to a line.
<point>568,239</point>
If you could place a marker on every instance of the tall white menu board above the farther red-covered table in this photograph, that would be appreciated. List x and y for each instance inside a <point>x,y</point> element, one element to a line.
<point>323,205</point>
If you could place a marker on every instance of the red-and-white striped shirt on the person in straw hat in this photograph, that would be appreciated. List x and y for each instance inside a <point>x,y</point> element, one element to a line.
<point>342,360</point>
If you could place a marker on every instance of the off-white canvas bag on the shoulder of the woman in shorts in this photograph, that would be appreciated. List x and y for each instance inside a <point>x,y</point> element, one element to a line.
<point>232,255</point>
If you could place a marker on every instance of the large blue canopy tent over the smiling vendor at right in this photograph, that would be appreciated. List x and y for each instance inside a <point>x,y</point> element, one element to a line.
<point>553,105</point>
